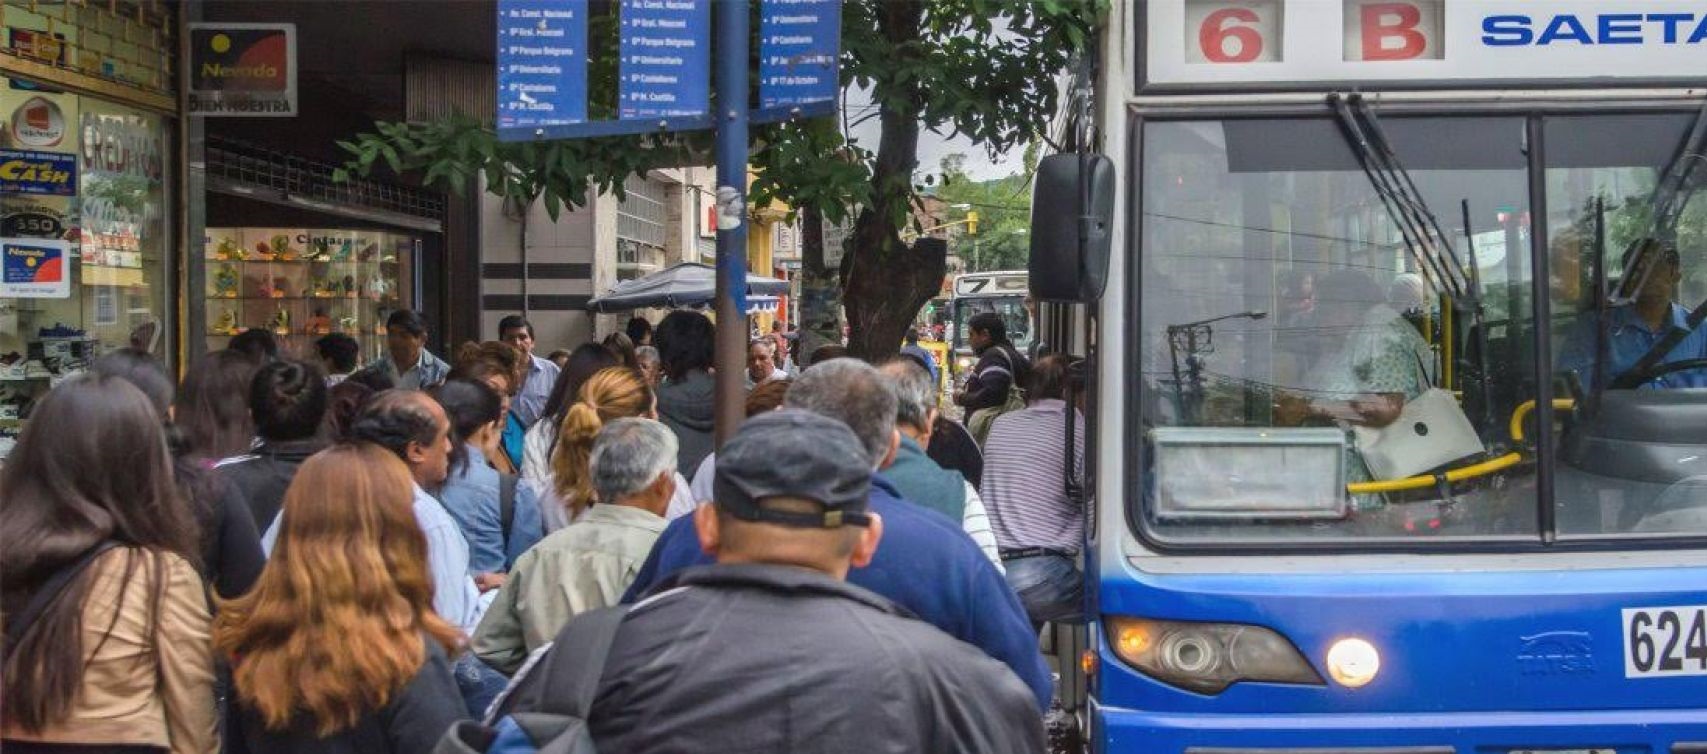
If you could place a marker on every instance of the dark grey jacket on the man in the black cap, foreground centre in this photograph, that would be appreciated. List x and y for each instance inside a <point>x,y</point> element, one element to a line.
<point>776,659</point>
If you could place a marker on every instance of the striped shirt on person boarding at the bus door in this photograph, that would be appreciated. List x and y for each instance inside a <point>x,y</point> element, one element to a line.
<point>1023,485</point>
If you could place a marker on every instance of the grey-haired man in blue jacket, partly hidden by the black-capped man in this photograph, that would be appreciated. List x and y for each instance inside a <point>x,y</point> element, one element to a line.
<point>926,564</point>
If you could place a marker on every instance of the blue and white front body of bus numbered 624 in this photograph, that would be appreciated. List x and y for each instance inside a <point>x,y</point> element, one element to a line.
<point>1484,646</point>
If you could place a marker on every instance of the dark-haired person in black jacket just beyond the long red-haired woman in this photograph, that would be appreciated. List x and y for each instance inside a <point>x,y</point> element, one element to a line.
<point>288,402</point>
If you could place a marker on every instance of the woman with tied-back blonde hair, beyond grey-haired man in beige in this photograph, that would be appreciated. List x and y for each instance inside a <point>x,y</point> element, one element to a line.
<point>615,393</point>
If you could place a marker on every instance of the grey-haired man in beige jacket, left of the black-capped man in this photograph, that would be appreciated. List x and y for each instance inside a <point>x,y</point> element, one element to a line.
<point>591,562</point>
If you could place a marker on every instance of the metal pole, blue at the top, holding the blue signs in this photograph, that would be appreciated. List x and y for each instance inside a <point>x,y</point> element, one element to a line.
<point>731,78</point>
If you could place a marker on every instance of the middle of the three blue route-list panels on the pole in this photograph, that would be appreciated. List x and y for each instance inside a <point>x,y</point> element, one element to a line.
<point>667,59</point>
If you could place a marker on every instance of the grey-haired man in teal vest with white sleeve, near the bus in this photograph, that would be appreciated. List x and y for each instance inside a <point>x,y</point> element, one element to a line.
<point>919,478</point>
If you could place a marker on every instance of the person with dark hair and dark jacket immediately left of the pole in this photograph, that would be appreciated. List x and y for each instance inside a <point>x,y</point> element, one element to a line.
<point>687,398</point>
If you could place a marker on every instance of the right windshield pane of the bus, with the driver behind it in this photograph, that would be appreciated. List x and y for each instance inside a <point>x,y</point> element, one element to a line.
<point>1629,250</point>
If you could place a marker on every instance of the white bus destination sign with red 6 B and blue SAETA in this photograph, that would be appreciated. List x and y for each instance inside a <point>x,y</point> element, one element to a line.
<point>1421,42</point>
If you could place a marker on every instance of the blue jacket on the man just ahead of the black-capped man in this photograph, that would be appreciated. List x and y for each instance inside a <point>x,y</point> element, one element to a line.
<point>924,564</point>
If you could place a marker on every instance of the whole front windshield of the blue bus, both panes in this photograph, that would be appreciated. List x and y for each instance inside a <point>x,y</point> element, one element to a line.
<point>1329,352</point>
